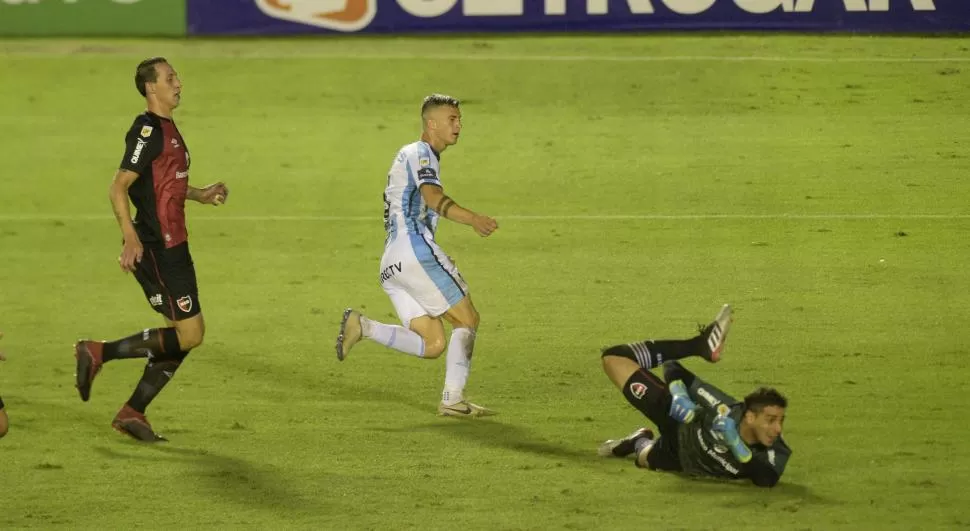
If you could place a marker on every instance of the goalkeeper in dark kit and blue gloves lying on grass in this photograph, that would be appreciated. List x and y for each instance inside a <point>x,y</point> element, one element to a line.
<point>703,431</point>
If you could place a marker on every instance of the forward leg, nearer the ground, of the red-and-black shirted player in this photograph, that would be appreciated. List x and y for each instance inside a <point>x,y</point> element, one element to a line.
<point>184,316</point>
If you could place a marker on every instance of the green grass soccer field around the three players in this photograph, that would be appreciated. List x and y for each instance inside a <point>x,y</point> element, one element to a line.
<point>819,184</point>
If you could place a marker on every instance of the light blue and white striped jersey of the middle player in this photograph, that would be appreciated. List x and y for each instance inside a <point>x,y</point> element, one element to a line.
<point>404,209</point>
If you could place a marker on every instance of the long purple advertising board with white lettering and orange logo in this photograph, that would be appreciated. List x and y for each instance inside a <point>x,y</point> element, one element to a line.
<point>289,17</point>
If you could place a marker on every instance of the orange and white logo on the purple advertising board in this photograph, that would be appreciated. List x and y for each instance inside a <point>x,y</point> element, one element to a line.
<point>340,15</point>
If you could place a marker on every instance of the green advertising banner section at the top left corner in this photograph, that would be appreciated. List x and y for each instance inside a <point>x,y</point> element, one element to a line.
<point>92,17</point>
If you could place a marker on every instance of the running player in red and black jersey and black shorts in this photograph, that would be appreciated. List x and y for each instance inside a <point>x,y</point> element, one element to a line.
<point>154,176</point>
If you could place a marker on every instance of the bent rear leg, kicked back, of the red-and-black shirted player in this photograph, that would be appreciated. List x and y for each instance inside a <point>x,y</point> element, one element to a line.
<point>155,342</point>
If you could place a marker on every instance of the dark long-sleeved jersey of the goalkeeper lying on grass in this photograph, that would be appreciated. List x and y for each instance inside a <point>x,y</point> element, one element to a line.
<point>701,451</point>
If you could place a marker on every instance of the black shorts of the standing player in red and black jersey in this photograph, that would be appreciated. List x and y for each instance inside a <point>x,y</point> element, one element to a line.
<point>167,277</point>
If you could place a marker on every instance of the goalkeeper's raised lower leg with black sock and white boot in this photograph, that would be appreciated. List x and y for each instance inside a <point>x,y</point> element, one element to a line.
<point>708,344</point>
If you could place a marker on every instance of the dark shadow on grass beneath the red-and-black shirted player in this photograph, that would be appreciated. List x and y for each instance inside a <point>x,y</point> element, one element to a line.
<point>228,477</point>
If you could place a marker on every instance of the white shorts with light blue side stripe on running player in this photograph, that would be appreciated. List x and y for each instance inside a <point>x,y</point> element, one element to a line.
<point>419,277</point>
